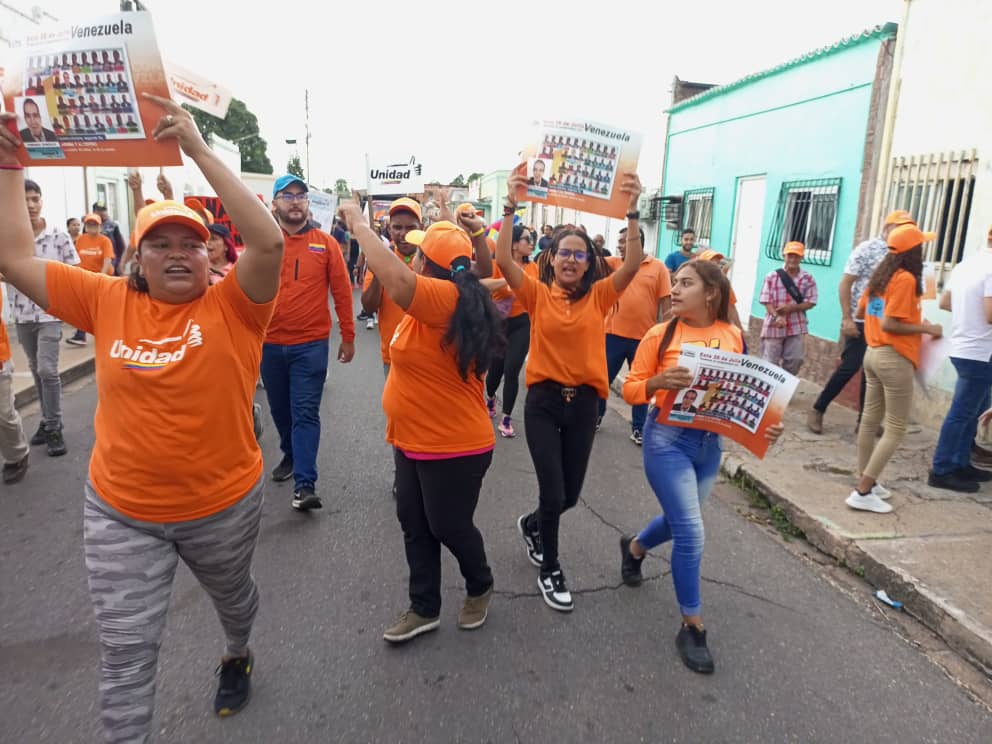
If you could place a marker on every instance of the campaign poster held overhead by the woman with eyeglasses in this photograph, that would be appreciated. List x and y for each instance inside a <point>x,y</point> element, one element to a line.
<point>577,165</point>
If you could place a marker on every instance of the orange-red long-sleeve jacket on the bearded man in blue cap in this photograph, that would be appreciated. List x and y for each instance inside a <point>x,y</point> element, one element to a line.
<point>312,265</point>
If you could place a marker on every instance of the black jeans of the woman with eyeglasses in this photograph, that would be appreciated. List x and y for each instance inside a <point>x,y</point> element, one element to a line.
<point>560,427</point>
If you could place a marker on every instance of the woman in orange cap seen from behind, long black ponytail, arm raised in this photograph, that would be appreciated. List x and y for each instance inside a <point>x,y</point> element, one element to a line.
<point>435,415</point>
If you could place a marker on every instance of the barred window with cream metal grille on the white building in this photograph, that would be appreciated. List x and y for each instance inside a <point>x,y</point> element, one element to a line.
<point>937,190</point>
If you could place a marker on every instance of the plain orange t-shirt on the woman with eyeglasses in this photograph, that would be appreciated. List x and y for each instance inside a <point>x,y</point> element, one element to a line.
<point>567,338</point>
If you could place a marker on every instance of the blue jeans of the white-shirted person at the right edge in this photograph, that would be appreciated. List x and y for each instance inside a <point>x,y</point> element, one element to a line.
<point>971,398</point>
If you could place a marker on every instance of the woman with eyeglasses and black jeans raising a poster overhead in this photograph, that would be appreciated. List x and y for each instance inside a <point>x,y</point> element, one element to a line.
<point>566,370</point>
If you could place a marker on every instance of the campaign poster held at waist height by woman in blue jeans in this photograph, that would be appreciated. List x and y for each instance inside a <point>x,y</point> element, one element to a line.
<point>734,395</point>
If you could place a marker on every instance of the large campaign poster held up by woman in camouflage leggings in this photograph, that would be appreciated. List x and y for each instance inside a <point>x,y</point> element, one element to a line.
<point>76,89</point>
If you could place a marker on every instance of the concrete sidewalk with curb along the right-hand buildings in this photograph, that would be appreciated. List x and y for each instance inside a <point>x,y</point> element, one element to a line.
<point>932,552</point>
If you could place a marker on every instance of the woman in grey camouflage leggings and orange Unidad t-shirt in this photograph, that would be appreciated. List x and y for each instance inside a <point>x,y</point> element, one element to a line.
<point>176,364</point>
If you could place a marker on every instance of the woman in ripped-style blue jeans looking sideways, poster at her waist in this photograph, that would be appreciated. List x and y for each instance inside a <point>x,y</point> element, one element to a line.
<point>681,464</point>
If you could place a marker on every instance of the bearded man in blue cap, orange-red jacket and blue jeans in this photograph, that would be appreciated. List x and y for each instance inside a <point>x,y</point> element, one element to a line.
<point>295,354</point>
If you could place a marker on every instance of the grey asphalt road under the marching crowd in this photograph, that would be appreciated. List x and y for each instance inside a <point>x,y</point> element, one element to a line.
<point>797,660</point>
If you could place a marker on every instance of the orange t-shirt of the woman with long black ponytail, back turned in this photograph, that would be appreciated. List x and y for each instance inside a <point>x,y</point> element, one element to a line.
<point>429,408</point>
